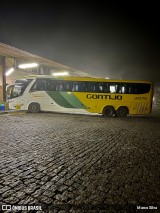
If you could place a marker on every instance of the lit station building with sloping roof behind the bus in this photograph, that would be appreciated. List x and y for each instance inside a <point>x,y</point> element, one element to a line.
<point>11,58</point>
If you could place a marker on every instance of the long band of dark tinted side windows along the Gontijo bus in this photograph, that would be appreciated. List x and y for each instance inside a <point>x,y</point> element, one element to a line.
<point>84,86</point>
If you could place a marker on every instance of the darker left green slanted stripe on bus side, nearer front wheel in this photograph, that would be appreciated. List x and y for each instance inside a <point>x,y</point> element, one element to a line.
<point>59,99</point>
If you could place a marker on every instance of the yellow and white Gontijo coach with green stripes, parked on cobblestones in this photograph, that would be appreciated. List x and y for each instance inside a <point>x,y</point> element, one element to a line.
<point>75,94</point>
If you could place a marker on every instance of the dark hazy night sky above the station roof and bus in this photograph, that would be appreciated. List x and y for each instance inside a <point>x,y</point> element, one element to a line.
<point>120,40</point>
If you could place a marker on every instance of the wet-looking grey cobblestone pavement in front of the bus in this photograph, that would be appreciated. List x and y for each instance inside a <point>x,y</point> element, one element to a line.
<point>77,163</point>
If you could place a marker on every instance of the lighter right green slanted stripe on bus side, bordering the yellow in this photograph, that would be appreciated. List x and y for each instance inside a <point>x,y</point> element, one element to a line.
<point>73,100</point>
